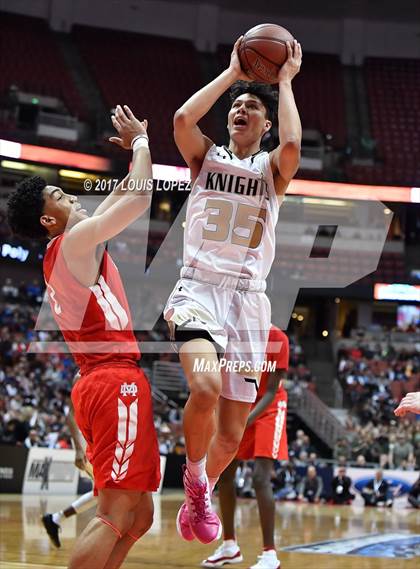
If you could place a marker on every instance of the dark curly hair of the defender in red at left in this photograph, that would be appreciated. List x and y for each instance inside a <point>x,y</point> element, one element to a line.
<point>25,206</point>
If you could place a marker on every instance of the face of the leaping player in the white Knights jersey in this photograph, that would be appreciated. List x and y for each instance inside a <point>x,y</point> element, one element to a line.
<point>247,120</point>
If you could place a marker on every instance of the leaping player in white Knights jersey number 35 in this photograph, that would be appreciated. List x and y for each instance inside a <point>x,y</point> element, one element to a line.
<point>229,247</point>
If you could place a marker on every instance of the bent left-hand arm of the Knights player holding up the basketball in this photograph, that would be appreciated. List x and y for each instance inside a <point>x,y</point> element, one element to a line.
<point>191,142</point>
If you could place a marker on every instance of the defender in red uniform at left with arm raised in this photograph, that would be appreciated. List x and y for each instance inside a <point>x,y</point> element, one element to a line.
<point>112,400</point>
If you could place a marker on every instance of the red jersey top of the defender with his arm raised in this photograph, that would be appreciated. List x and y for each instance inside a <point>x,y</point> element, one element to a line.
<point>95,321</point>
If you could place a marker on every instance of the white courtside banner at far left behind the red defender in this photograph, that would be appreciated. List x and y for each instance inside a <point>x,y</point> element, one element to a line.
<point>51,471</point>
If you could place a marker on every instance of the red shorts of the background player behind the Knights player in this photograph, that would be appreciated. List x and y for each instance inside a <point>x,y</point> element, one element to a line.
<point>267,436</point>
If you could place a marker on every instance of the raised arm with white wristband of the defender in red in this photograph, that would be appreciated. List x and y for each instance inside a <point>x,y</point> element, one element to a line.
<point>133,202</point>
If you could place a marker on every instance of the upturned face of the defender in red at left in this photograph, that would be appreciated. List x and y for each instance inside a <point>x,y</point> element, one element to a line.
<point>61,210</point>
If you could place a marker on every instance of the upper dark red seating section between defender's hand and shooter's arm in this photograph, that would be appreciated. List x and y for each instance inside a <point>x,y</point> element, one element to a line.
<point>153,75</point>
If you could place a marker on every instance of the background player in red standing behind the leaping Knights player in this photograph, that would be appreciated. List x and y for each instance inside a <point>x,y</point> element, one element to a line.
<point>265,440</point>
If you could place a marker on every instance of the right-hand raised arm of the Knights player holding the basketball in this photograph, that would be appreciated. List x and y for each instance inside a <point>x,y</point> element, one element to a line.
<point>286,157</point>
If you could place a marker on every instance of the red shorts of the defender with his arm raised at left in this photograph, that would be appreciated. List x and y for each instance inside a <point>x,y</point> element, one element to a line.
<point>113,409</point>
